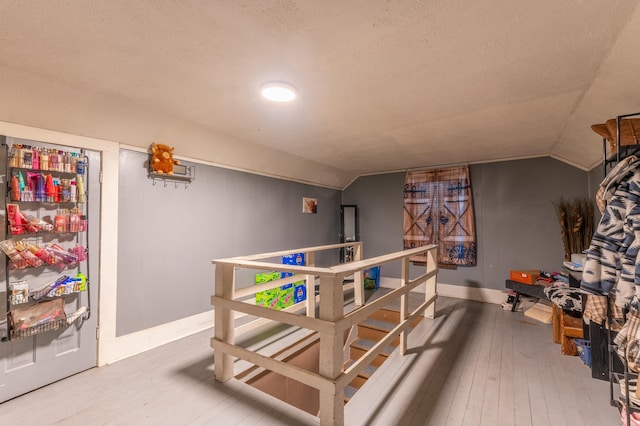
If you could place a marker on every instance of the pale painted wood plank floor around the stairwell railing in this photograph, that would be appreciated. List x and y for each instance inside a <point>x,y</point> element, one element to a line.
<point>475,364</point>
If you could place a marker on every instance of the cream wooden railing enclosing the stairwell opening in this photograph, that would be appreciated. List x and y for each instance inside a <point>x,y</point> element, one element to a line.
<point>331,321</point>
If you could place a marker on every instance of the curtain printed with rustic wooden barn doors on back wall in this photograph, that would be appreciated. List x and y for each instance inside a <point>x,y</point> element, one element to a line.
<point>438,209</point>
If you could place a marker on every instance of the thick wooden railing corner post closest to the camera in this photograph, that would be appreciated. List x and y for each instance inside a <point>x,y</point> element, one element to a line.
<point>331,355</point>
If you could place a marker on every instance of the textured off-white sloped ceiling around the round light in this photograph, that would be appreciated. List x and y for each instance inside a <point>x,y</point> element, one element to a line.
<point>384,85</point>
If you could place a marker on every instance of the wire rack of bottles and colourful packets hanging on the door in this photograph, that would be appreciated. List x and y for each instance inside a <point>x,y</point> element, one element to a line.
<point>46,241</point>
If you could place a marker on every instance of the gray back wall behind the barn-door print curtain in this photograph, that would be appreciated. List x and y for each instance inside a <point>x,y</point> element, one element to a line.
<point>516,223</point>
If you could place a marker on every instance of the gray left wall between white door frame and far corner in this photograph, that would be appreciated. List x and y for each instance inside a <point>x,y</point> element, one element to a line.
<point>167,236</point>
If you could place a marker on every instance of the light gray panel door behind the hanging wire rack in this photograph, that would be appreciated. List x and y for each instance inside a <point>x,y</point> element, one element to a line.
<point>28,363</point>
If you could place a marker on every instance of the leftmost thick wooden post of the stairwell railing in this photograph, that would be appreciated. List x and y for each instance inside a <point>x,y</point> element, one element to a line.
<point>223,325</point>
